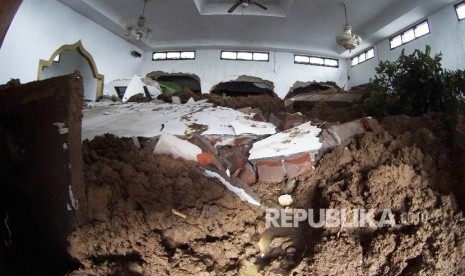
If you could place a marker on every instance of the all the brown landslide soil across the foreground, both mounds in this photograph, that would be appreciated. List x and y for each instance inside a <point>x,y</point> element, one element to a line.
<point>404,165</point>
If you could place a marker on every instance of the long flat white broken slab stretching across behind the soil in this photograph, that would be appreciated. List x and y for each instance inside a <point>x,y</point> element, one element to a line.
<point>155,118</point>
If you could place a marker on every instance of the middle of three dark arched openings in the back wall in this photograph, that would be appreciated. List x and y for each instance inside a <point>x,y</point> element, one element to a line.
<point>244,86</point>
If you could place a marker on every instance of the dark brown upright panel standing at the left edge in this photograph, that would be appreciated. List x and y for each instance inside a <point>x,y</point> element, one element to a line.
<point>41,172</point>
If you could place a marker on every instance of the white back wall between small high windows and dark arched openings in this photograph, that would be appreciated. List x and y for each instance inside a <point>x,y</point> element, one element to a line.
<point>280,69</point>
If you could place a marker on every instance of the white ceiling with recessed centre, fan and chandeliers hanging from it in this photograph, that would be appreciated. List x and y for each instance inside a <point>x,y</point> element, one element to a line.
<point>300,26</point>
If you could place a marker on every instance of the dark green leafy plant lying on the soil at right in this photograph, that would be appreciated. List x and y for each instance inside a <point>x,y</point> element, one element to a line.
<point>415,84</point>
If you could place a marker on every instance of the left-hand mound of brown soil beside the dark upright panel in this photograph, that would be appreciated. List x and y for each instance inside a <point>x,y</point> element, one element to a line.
<point>155,215</point>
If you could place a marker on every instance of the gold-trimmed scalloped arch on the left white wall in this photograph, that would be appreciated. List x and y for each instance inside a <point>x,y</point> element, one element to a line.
<point>68,59</point>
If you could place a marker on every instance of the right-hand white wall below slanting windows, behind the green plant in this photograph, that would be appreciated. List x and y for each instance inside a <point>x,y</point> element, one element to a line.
<point>447,36</point>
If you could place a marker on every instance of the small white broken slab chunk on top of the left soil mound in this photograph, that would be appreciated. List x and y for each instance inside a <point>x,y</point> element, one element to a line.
<point>172,145</point>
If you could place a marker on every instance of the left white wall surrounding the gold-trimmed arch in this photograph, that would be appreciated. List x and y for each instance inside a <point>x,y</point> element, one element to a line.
<point>41,26</point>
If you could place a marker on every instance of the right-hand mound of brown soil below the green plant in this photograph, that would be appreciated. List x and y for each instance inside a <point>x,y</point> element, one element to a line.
<point>407,172</point>
